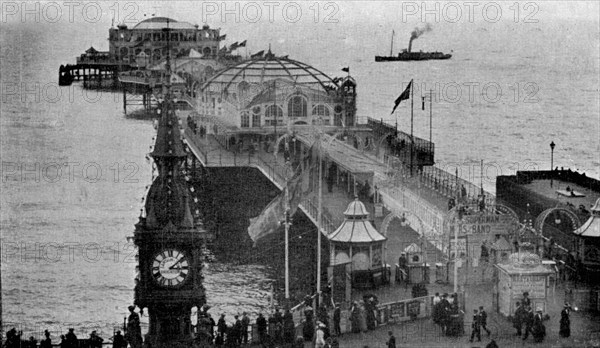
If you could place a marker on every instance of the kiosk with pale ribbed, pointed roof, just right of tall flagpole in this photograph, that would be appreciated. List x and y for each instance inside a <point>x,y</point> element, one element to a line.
<point>358,243</point>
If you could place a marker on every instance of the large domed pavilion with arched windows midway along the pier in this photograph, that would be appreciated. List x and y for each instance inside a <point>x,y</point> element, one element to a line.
<point>261,94</point>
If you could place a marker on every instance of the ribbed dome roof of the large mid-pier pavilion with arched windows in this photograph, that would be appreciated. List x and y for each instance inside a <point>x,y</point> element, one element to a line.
<point>269,67</point>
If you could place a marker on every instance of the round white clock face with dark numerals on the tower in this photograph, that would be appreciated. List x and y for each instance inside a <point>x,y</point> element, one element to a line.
<point>170,268</point>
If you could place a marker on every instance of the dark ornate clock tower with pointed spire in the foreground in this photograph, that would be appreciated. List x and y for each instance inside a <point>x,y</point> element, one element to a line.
<point>169,242</point>
